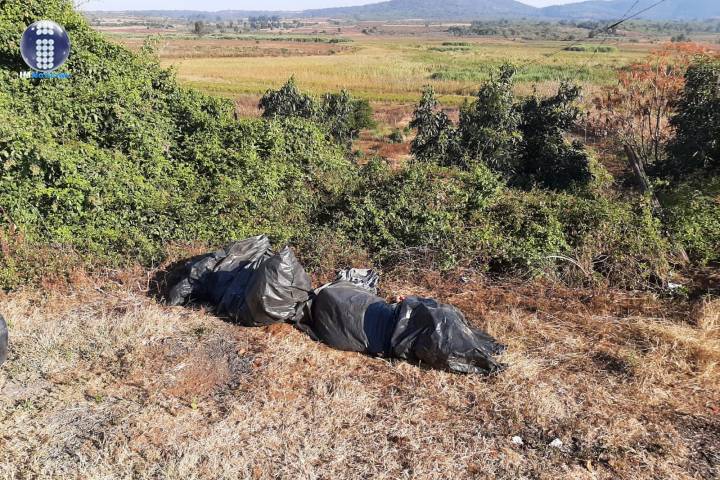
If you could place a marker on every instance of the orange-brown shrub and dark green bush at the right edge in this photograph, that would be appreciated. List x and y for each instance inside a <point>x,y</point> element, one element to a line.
<point>663,116</point>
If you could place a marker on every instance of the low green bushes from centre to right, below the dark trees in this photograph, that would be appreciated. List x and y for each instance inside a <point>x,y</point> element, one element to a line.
<point>448,216</point>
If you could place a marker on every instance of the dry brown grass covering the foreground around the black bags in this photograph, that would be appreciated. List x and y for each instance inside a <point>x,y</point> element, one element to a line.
<point>103,382</point>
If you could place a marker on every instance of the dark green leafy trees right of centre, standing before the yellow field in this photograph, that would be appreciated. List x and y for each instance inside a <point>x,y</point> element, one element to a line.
<point>524,141</point>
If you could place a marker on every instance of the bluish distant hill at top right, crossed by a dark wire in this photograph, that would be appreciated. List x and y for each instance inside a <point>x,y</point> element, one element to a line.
<point>610,9</point>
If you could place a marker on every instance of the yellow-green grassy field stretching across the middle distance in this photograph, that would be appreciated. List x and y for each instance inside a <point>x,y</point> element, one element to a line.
<point>385,69</point>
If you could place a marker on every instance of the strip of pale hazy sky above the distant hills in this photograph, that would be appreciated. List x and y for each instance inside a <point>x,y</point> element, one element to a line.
<point>212,5</point>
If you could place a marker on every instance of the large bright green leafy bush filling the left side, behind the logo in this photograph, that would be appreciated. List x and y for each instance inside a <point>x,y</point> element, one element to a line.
<point>119,161</point>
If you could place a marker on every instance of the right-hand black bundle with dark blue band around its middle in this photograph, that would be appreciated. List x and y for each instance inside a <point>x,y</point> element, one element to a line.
<point>349,316</point>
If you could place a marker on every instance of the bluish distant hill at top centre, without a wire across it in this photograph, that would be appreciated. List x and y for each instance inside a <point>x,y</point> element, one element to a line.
<point>430,10</point>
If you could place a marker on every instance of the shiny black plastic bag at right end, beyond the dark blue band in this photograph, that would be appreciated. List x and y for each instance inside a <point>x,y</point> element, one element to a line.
<point>439,336</point>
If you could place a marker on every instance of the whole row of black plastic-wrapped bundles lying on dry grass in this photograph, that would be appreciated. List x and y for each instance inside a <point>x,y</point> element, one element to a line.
<point>254,287</point>
